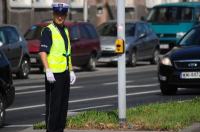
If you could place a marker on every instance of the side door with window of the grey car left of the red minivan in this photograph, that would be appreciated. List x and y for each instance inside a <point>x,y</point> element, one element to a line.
<point>13,48</point>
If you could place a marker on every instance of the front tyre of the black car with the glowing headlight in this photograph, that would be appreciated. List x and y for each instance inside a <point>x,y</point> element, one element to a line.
<point>168,89</point>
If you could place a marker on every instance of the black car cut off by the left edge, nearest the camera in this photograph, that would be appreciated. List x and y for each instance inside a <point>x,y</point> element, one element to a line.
<point>7,90</point>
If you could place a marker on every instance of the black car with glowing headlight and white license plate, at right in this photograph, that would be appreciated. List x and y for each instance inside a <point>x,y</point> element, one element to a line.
<point>181,66</point>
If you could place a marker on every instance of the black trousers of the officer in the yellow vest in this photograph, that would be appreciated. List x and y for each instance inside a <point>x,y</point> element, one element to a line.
<point>56,99</point>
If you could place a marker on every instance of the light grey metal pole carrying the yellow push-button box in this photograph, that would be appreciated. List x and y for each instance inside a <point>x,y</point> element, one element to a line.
<point>121,64</point>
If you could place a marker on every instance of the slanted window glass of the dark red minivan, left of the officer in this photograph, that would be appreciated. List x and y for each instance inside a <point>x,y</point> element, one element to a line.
<point>33,33</point>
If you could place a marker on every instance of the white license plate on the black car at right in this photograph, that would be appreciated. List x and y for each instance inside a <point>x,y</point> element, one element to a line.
<point>190,75</point>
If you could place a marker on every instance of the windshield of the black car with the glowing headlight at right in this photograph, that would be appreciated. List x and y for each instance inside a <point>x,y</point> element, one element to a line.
<point>191,38</point>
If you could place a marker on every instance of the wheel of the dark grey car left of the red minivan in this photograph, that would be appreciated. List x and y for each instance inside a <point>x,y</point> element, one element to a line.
<point>24,69</point>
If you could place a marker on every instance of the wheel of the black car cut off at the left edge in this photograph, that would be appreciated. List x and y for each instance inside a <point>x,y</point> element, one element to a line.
<point>2,111</point>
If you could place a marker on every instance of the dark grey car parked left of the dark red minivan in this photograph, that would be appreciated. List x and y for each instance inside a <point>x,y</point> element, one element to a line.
<point>15,48</point>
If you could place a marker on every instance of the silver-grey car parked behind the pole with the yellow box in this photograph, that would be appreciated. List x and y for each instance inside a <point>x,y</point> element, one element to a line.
<point>141,42</point>
